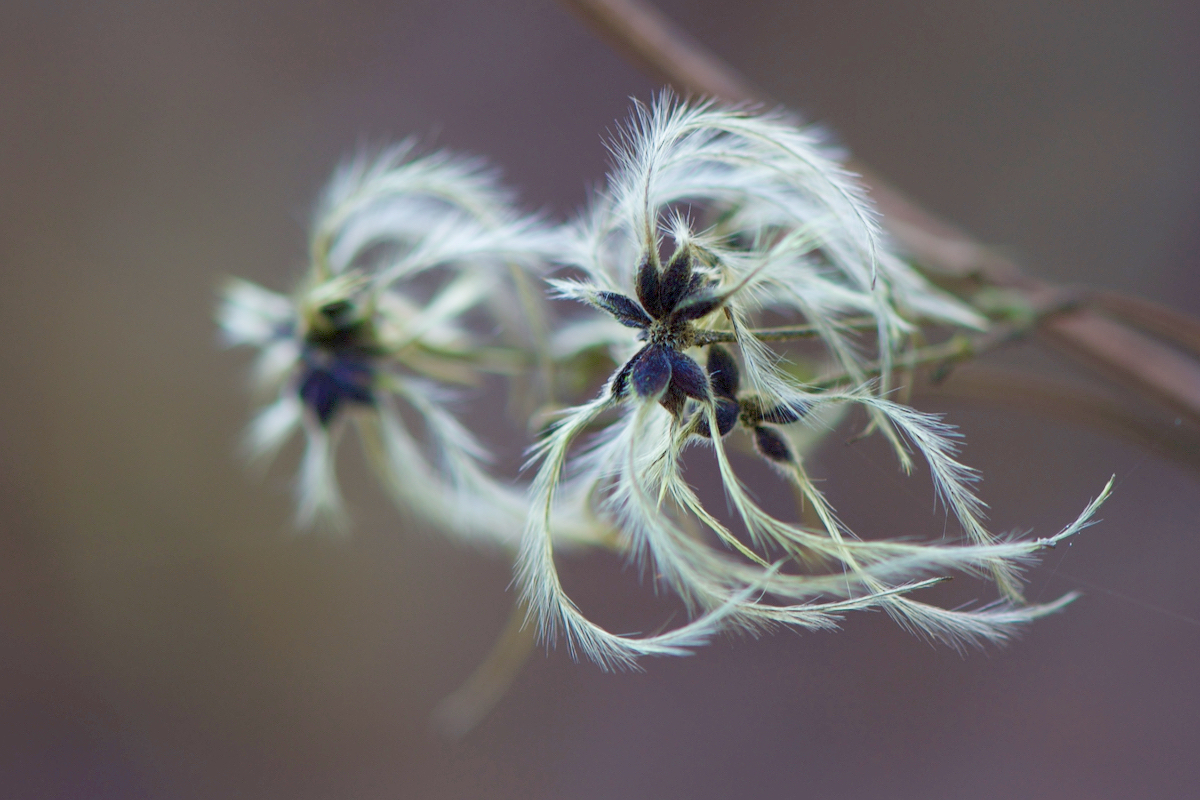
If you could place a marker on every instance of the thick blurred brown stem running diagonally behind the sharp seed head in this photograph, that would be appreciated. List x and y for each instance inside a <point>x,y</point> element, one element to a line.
<point>1148,366</point>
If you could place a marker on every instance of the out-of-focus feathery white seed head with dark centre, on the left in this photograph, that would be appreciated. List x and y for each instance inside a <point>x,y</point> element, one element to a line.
<point>358,341</point>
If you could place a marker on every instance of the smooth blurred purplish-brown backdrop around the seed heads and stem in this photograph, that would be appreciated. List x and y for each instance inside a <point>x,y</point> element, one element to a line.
<point>164,631</point>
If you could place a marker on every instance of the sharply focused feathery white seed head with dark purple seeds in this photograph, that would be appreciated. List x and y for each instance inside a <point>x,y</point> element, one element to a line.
<point>760,222</point>
